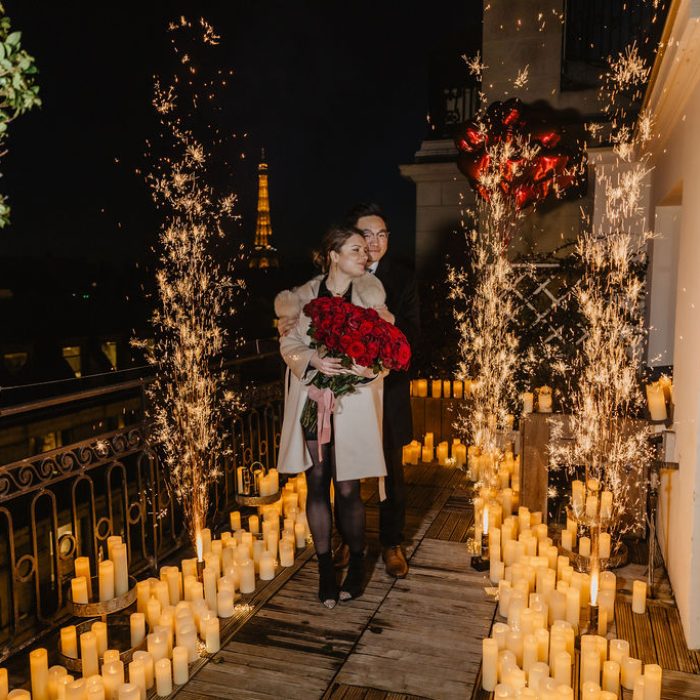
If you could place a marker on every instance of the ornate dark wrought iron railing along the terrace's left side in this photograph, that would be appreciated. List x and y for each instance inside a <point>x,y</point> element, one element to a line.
<point>65,502</point>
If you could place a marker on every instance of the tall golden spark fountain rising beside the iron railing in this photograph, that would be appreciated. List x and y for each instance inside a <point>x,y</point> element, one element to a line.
<point>189,397</point>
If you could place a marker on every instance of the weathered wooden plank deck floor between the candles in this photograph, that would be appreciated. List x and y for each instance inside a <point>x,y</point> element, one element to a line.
<point>419,637</point>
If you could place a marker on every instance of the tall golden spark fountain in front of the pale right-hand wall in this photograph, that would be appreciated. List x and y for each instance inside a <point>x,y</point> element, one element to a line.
<point>610,295</point>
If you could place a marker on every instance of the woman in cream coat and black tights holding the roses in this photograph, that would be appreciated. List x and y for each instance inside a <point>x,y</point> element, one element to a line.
<point>355,451</point>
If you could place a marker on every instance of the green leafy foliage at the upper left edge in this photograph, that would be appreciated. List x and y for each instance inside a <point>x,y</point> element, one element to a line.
<point>18,91</point>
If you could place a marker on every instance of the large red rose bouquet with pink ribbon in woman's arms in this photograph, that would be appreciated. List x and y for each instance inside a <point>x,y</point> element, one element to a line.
<point>357,336</point>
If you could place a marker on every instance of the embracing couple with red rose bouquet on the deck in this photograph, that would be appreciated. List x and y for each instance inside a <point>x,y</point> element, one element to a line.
<point>347,415</point>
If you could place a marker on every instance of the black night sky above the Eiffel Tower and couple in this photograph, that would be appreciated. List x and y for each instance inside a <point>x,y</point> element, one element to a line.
<point>336,92</point>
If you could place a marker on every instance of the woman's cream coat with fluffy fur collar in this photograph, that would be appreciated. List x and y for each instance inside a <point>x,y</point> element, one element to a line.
<point>357,421</point>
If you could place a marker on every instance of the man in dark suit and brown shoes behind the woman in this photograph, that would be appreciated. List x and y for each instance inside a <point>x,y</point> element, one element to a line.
<point>402,303</point>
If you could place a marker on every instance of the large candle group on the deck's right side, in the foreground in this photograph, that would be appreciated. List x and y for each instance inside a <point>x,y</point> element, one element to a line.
<point>541,598</point>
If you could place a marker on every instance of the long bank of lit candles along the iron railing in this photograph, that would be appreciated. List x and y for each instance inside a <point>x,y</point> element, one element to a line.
<point>177,615</point>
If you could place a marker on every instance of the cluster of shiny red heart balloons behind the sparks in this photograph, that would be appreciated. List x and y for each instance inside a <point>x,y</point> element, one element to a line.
<point>537,165</point>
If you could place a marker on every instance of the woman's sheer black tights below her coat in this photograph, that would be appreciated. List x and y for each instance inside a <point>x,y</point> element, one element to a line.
<point>350,508</point>
